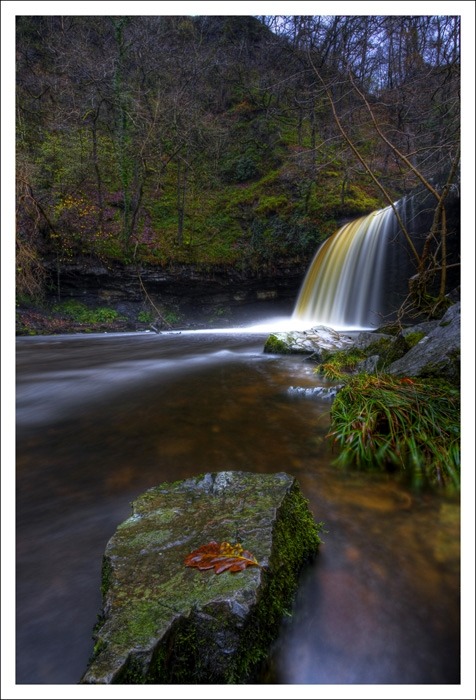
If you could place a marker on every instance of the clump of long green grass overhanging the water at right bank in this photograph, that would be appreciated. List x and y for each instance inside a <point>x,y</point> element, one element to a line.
<point>391,423</point>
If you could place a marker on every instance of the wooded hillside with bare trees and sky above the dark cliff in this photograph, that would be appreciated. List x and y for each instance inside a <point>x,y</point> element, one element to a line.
<point>232,141</point>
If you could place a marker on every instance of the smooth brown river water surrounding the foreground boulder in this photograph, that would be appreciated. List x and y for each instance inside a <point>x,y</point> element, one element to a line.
<point>101,418</point>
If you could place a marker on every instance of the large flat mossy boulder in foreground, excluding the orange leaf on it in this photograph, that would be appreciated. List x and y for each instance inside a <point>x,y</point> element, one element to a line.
<point>164,622</point>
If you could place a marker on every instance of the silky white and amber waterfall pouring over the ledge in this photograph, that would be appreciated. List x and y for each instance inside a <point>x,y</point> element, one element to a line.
<point>354,274</point>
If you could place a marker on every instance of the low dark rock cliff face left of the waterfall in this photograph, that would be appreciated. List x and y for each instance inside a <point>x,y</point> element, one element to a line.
<point>191,293</point>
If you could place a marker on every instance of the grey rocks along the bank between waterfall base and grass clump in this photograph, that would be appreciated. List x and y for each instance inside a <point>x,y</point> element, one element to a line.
<point>436,354</point>
